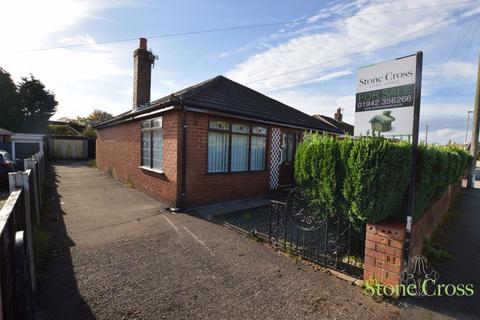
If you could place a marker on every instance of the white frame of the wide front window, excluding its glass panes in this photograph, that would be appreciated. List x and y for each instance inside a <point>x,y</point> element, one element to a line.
<point>230,133</point>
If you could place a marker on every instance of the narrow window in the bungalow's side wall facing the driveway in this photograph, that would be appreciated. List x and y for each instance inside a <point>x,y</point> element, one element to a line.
<point>152,144</point>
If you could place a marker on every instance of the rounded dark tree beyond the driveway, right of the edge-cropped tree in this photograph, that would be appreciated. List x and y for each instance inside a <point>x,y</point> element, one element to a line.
<point>36,104</point>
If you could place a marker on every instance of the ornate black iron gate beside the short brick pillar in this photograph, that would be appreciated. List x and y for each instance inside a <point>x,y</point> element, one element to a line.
<point>299,227</point>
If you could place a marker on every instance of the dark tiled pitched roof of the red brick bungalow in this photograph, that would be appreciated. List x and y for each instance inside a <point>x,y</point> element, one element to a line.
<point>221,94</point>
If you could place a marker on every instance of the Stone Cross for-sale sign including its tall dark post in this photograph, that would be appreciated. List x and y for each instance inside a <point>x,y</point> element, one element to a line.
<point>388,104</point>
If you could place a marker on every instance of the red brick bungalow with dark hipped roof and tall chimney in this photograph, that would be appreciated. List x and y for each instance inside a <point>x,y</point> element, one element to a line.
<point>215,141</point>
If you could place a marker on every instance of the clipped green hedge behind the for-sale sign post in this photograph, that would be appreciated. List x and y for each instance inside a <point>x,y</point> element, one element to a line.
<point>368,178</point>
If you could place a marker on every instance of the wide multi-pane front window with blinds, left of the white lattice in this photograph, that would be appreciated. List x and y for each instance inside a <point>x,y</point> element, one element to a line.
<point>235,147</point>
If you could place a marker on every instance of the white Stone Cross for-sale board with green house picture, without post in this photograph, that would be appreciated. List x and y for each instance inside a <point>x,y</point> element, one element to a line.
<point>385,98</point>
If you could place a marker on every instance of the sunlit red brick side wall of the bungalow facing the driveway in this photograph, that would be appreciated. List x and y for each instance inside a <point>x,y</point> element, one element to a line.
<point>119,152</point>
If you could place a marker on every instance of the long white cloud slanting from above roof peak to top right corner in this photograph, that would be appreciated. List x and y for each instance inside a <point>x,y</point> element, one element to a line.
<point>366,30</point>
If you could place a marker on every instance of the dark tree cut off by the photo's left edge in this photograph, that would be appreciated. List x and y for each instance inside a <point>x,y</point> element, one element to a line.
<point>10,115</point>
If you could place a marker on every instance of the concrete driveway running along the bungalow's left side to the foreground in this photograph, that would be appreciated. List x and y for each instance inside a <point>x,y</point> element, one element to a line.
<point>118,255</point>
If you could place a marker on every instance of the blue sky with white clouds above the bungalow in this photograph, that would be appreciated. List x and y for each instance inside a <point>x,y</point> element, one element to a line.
<point>309,62</point>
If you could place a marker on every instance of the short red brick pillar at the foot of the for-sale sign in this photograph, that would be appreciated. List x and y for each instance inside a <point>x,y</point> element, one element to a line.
<point>384,243</point>
